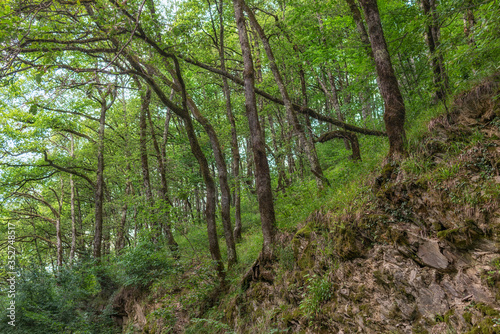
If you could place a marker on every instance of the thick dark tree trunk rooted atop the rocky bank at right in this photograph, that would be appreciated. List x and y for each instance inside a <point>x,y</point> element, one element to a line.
<point>394,115</point>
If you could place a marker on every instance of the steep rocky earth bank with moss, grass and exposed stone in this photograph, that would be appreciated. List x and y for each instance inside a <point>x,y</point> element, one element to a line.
<point>418,250</point>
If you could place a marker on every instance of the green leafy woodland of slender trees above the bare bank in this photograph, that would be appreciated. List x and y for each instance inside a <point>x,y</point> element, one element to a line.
<point>149,131</point>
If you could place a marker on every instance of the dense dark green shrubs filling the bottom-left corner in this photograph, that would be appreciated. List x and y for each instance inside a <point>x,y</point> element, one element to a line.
<point>57,302</point>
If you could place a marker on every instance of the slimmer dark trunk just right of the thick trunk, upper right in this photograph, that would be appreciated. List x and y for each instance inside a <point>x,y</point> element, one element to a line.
<point>432,35</point>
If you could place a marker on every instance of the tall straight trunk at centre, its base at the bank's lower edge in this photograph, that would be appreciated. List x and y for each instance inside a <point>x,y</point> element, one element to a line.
<point>263,178</point>
